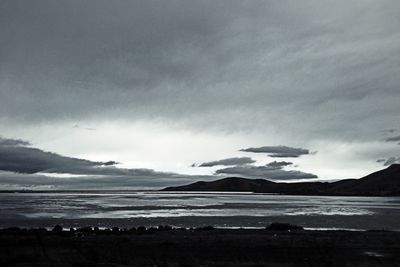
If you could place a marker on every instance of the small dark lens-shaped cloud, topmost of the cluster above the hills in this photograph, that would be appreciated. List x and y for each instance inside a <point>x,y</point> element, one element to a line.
<point>278,151</point>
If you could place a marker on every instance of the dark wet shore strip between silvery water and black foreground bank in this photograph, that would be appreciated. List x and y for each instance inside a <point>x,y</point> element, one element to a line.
<point>359,222</point>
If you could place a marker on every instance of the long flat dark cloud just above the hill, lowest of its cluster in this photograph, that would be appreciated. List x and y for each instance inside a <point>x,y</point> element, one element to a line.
<point>266,172</point>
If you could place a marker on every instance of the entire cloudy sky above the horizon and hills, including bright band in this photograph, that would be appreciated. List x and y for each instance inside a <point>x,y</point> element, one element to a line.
<point>145,94</point>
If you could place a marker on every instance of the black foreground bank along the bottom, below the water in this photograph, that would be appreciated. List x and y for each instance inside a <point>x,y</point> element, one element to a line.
<point>207,246</point>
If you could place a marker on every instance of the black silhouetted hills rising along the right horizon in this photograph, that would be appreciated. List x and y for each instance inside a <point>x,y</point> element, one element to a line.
<point>385,182</point>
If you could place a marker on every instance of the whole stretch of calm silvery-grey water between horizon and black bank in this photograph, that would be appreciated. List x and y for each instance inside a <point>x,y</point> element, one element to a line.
<point>188,209</point>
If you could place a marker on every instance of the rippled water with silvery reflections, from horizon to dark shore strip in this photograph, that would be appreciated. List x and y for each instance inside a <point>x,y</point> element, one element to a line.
<point>78,205</point>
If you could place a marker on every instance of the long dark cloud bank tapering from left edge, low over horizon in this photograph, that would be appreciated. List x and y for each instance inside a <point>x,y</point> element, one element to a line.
<point>26,167</point>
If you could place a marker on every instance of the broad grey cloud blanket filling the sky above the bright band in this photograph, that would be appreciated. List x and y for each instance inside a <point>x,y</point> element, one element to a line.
<point>289,65</point>
